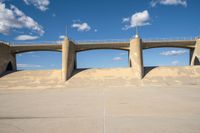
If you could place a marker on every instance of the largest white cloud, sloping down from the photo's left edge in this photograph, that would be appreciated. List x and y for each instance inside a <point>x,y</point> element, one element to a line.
<point>12,18</point>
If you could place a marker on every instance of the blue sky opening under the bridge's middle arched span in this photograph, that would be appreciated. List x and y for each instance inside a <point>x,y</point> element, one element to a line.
<point>102,58</point>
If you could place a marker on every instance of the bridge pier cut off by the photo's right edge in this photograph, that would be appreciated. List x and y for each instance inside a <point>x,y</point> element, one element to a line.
<point>196,55</point>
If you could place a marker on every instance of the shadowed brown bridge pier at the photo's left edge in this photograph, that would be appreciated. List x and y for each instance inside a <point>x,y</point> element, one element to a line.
<point>7,59</point>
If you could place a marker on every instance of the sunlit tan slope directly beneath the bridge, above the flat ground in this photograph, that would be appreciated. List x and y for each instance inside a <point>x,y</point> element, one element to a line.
<point>44,79</point>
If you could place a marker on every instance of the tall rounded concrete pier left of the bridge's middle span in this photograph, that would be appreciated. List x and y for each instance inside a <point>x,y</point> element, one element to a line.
<point>68,59</point>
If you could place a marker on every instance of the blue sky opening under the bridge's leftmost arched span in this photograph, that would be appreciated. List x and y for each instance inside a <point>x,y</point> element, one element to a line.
<point>39,60</point>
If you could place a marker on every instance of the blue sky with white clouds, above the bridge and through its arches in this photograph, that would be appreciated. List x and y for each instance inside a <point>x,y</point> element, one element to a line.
<point>46,20</point>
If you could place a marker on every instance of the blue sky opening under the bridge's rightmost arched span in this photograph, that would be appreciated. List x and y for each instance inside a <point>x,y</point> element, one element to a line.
<point>168,56</point>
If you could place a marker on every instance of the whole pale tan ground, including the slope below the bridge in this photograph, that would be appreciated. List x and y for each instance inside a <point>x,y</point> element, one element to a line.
<point>167,100</point>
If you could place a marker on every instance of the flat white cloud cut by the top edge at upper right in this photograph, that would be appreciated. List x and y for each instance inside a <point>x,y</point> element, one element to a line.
<point>169,2</point>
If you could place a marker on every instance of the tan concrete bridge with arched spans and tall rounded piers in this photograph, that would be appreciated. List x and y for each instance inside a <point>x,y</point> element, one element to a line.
<point>69,50</point>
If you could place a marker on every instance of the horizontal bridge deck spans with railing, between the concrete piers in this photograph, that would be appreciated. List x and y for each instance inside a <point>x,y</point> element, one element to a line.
<point>189,44</point>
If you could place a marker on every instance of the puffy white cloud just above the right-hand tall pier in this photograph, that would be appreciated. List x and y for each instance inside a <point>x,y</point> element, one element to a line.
<point>137,19</point>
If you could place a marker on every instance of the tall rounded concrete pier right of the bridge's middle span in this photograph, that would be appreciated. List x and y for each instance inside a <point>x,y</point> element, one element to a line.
<point>136,57</point>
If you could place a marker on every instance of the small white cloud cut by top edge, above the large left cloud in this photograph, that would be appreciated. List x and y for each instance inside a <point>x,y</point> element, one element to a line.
<point>40,4</point>
